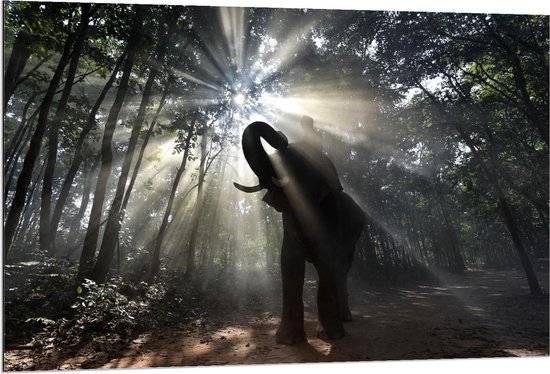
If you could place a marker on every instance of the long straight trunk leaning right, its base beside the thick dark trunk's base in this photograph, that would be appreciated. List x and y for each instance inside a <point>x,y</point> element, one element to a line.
<point>114,221</point>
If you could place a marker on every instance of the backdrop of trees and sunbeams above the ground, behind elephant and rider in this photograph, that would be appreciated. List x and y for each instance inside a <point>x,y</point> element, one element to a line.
<point>122,127</point>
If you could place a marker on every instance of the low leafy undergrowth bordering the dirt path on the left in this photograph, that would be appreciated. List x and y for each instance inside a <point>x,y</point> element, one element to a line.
<point>46,309</point>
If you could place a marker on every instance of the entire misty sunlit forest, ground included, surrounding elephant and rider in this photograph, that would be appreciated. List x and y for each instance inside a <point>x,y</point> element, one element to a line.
<point>124,234</point>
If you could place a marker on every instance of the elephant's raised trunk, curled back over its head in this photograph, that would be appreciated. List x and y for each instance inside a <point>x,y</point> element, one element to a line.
<point>255,154</point>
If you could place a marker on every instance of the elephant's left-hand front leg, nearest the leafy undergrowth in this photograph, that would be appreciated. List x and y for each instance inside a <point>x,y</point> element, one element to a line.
<point>291,329</point>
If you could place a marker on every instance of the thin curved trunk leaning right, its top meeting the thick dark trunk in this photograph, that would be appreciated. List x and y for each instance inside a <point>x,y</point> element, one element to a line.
<point>79,150</point>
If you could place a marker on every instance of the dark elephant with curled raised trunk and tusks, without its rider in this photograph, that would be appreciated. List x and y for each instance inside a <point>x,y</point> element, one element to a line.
<point>321,225</point>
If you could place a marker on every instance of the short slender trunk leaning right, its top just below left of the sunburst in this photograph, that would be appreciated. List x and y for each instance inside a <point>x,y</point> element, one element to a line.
<point>155,263</point>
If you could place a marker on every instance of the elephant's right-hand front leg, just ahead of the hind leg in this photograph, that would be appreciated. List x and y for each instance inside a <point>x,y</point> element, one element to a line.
<point>330,324</point>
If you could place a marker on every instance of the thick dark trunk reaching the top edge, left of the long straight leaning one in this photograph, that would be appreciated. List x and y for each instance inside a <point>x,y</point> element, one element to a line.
<point>92,232</point>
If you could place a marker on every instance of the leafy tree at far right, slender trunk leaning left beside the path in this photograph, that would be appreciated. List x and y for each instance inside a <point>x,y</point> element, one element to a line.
<point>484,44</point>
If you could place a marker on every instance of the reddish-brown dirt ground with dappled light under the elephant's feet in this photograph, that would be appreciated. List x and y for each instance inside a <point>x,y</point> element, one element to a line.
<point>478,314</point>
